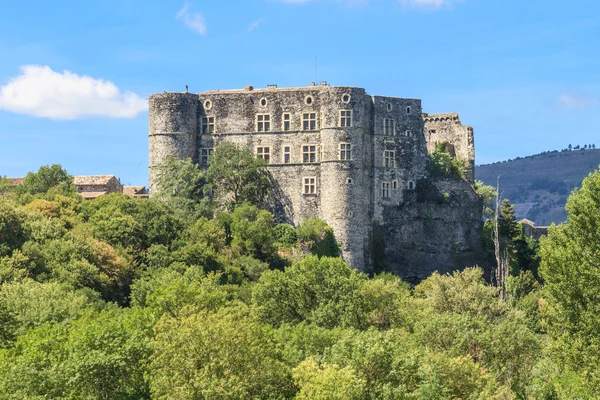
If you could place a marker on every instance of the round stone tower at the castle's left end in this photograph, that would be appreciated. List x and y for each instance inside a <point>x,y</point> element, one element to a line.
<point>172,129</point>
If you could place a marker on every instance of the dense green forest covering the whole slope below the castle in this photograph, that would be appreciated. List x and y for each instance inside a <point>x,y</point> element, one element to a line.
<point>198,294</point>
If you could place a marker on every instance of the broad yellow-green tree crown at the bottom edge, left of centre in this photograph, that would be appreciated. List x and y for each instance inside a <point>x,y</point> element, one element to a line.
<point>227,354</point>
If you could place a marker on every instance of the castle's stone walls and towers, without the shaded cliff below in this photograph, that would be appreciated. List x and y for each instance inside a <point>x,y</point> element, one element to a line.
<point>336,153</point>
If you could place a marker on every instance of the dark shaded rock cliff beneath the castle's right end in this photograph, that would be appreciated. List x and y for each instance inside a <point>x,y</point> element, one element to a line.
<point>437,228</point>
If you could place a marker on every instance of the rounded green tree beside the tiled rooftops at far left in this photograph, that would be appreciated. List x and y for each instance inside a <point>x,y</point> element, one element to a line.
<point>46,178</point>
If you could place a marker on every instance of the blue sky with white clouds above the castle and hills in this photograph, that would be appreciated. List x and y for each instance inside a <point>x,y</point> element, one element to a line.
<point>75,75</point>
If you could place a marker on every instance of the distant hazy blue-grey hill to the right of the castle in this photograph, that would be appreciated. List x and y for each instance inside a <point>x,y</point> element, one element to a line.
<point>539,185</point>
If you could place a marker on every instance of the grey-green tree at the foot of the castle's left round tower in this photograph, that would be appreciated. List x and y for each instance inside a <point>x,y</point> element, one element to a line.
<point>184,186</point>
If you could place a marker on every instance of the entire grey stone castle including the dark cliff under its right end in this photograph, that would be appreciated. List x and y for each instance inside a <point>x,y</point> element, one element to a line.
<point>354,160</point>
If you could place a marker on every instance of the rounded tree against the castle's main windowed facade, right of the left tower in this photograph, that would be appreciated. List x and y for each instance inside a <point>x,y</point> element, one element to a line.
<point>238,175</point>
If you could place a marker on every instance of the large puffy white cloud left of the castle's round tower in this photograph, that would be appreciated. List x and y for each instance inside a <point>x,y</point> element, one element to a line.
<point>41,92</point>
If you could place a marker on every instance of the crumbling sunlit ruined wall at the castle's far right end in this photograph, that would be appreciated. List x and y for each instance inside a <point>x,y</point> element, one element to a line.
<point>448,128</point>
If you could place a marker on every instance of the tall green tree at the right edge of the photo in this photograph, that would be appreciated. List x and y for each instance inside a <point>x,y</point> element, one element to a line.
<point>570,267</point>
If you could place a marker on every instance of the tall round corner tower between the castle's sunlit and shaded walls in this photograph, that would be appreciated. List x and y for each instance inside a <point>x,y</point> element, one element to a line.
<point>345,181</point>
